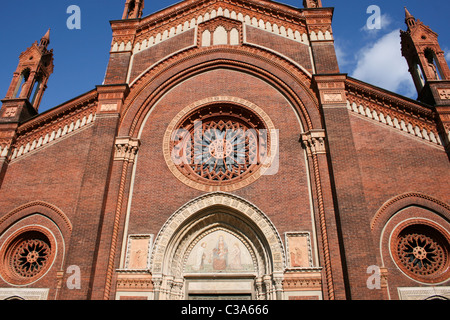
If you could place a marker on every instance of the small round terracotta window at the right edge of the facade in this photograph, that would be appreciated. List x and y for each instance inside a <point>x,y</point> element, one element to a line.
<point>422,251</point>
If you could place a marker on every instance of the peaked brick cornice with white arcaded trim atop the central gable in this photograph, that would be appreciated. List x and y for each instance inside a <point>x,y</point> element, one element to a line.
<point>277,18</point>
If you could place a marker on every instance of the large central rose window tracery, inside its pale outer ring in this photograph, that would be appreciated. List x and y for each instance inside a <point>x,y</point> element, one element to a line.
<point>219,145</point>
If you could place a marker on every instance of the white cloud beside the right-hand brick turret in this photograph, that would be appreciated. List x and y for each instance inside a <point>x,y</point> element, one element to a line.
<point>382,65</point>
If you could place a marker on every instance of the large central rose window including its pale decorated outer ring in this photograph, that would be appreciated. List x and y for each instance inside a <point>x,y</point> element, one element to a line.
<point>219,145</point>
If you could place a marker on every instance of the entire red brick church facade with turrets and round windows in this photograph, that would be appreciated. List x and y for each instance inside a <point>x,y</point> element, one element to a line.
<point>226,156</point>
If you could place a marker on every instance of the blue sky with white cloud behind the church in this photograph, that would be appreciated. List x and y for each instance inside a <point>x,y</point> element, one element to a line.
<point>81,56</point>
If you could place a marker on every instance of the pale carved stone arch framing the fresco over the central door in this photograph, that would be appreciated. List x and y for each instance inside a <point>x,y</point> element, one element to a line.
<point>210,214</point>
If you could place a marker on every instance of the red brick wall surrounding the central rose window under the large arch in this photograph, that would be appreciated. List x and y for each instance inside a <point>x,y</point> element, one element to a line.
<point>157,193</point>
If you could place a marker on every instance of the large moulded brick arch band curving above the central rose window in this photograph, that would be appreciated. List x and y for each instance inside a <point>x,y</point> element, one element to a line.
<point>289,79</point>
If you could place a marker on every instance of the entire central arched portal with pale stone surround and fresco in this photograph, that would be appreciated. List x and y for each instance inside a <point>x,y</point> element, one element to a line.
<point>218,246</point>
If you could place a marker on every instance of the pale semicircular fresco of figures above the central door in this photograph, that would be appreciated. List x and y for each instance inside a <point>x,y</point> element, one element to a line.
<point>219,252</point>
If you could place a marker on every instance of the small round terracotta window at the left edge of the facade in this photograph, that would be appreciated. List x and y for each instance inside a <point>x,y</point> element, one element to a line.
<point>27,256</point>
